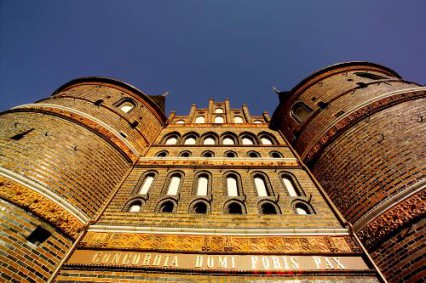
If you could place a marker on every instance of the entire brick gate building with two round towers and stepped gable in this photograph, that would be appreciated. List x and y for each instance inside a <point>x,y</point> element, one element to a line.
<point>98,185</point>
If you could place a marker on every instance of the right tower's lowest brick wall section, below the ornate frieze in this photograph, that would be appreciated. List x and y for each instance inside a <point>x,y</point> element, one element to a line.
<point>405,253</point>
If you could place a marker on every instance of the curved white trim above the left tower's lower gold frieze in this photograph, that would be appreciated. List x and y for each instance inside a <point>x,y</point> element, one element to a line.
<point>45,192</point>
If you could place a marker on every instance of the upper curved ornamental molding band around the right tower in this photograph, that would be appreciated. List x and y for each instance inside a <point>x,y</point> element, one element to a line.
<point>385,101</point>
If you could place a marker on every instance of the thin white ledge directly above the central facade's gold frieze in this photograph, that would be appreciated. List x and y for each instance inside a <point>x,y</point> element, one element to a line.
<point>221,231</point>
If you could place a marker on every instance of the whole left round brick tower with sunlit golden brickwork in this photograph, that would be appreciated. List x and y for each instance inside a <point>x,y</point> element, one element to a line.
<point>61,161</point>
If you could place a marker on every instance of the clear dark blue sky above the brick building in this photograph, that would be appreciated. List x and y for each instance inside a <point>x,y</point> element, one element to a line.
<point>202,49</point>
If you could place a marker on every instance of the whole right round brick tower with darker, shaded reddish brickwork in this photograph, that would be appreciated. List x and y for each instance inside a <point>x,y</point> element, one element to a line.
<point>361,129</point>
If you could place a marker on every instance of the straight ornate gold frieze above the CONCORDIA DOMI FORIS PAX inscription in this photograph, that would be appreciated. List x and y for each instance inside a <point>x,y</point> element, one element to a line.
<point>220,243</point>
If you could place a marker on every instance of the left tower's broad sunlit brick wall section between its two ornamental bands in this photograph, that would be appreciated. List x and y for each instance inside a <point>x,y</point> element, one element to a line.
<point>64,157</point>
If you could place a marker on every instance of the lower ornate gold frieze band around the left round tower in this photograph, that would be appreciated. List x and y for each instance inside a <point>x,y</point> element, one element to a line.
<point>40,206</point>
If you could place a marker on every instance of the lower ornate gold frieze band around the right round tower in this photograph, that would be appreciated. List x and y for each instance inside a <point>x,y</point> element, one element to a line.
<point>393,219</point>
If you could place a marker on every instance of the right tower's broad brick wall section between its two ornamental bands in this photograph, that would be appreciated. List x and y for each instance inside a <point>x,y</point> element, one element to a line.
<point>375,159</point>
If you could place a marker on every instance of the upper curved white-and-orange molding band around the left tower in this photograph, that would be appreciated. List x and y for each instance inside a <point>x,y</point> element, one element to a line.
<point>95,125</point>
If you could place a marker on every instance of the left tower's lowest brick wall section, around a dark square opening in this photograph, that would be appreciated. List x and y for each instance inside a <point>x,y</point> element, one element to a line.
<point>22,261</point>
